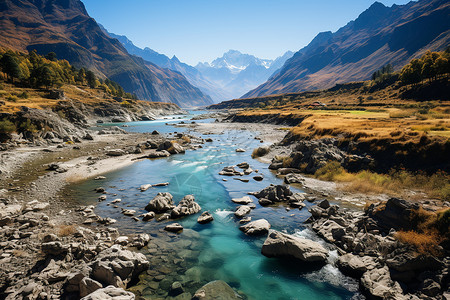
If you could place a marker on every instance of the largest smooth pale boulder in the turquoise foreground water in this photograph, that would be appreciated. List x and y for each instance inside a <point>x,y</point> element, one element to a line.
<point>279,244</point>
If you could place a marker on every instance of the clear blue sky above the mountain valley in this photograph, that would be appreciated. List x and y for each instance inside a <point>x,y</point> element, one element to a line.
<point>201,30</point>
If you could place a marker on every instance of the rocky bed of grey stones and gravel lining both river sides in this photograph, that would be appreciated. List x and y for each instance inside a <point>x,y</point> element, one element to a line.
<point>61,249</point>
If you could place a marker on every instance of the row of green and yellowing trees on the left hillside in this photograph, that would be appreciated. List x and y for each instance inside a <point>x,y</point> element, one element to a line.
<point>37,71</point>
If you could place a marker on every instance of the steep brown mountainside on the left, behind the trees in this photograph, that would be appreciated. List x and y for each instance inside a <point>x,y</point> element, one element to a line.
<point>64,27</point>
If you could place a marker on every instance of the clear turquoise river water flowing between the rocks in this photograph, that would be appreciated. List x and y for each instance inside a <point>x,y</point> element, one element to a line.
<point>218,250</point>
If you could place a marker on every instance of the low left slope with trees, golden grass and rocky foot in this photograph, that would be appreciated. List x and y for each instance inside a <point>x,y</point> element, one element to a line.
<point>42,94</point>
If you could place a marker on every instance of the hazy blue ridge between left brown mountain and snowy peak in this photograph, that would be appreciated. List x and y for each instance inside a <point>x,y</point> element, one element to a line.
<point>192,74</point>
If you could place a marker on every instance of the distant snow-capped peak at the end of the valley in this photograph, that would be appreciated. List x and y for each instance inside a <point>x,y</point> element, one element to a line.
<point>237,73</point>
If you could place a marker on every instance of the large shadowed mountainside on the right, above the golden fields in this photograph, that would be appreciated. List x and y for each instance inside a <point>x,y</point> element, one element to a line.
<point>380,35</point>
